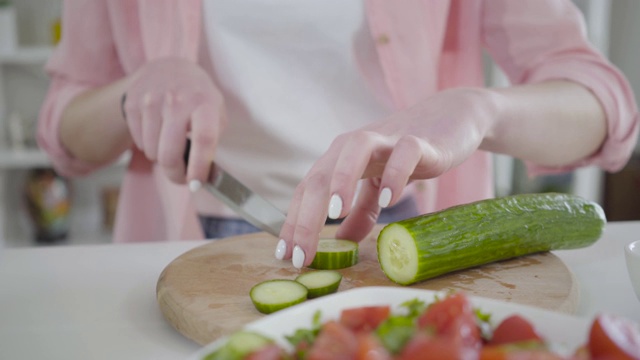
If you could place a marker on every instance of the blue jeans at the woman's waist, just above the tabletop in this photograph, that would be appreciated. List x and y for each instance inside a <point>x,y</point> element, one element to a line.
<point>217,227</point>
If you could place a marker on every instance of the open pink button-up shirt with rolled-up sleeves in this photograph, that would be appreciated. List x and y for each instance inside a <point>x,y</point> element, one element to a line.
<point>423,46</point>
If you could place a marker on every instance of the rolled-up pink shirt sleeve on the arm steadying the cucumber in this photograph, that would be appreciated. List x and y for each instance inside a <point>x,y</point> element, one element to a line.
<point>539,40</point>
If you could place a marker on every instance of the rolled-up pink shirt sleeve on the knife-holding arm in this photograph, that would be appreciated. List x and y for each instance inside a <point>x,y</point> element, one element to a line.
<point>84,59</point>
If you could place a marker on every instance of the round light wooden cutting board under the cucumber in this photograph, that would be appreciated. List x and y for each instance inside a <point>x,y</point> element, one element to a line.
<point>204,293</point>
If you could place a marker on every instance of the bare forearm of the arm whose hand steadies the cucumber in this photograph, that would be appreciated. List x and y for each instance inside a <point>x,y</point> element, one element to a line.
<point>552,123</point>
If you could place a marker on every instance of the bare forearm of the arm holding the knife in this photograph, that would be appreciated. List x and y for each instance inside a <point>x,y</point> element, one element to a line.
<point>92,128</point>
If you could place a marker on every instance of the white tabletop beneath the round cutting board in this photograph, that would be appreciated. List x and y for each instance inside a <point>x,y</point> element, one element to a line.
<point>98,301</point>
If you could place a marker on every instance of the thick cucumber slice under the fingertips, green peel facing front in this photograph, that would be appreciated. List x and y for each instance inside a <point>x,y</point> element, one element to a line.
<point>335,254</point>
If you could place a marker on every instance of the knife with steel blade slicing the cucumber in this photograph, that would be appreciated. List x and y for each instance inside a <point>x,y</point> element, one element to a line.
<point>250,206</point>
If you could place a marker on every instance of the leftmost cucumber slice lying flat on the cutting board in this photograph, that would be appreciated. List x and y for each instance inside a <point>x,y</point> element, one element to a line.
<point>273,295</point>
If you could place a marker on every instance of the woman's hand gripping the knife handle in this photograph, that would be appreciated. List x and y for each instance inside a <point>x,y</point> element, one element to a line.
<point>167,101</point>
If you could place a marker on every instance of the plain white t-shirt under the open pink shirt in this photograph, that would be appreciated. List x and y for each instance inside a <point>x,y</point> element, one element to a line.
<point>289,74</point>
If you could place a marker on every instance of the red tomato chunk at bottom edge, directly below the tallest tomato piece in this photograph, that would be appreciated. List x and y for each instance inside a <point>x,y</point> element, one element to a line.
<point>426,346</point>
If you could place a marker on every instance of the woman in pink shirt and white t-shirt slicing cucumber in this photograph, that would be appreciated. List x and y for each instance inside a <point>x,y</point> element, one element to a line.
<point>301,100</point>
